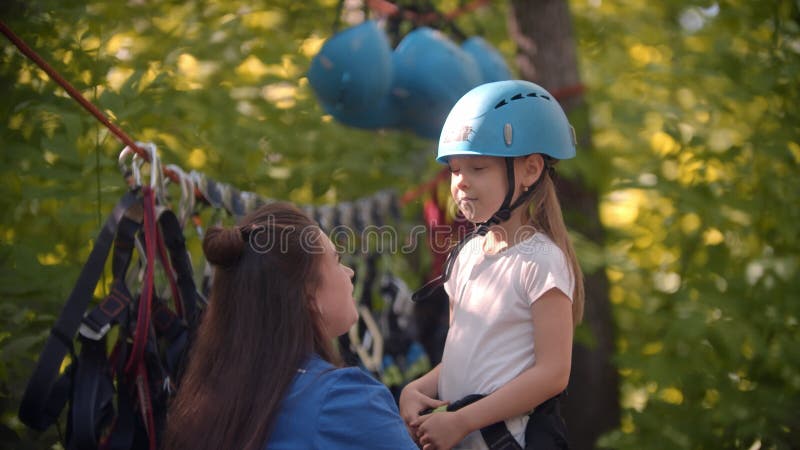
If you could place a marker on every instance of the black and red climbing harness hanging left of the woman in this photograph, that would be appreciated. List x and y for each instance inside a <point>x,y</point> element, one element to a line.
<point>119,400</point>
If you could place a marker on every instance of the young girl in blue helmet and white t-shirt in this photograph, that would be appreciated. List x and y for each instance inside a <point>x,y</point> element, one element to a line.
<point>515,287</point>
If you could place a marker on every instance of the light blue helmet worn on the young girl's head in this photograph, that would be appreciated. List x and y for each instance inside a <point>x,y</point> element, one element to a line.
<point>507,119</point>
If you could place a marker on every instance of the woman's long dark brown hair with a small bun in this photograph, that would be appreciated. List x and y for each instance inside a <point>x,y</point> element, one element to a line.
<point>258,330</point>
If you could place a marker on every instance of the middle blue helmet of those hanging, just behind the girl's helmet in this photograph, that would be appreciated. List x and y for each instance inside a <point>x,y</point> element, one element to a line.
<point>431,74</point>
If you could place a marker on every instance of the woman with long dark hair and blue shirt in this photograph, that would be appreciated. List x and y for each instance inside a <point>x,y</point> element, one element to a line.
<point>263,372</point>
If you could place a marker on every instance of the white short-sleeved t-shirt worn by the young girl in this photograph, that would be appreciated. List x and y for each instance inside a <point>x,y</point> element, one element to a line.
<point>490,340</point>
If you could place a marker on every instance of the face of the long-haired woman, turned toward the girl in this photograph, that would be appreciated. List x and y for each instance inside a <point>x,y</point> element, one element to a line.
<point>334,295</point>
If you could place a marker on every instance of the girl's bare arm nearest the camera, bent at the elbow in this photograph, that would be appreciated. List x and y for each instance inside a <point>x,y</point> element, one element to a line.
<point>553,329</point>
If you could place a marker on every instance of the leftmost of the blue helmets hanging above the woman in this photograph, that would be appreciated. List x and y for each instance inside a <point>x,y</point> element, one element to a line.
<point>352,69</point>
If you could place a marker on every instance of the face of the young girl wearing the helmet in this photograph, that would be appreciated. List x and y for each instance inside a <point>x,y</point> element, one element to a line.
<point>478,185</point>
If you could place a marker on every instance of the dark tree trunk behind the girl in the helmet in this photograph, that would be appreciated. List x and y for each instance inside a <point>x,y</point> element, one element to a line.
<point>546,55</point>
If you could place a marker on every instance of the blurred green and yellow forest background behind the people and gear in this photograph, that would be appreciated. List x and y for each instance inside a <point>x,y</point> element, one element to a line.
<point>683,200</point>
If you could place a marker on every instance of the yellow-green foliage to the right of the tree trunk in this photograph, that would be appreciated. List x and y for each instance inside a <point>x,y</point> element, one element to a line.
<point>696,105</point>
